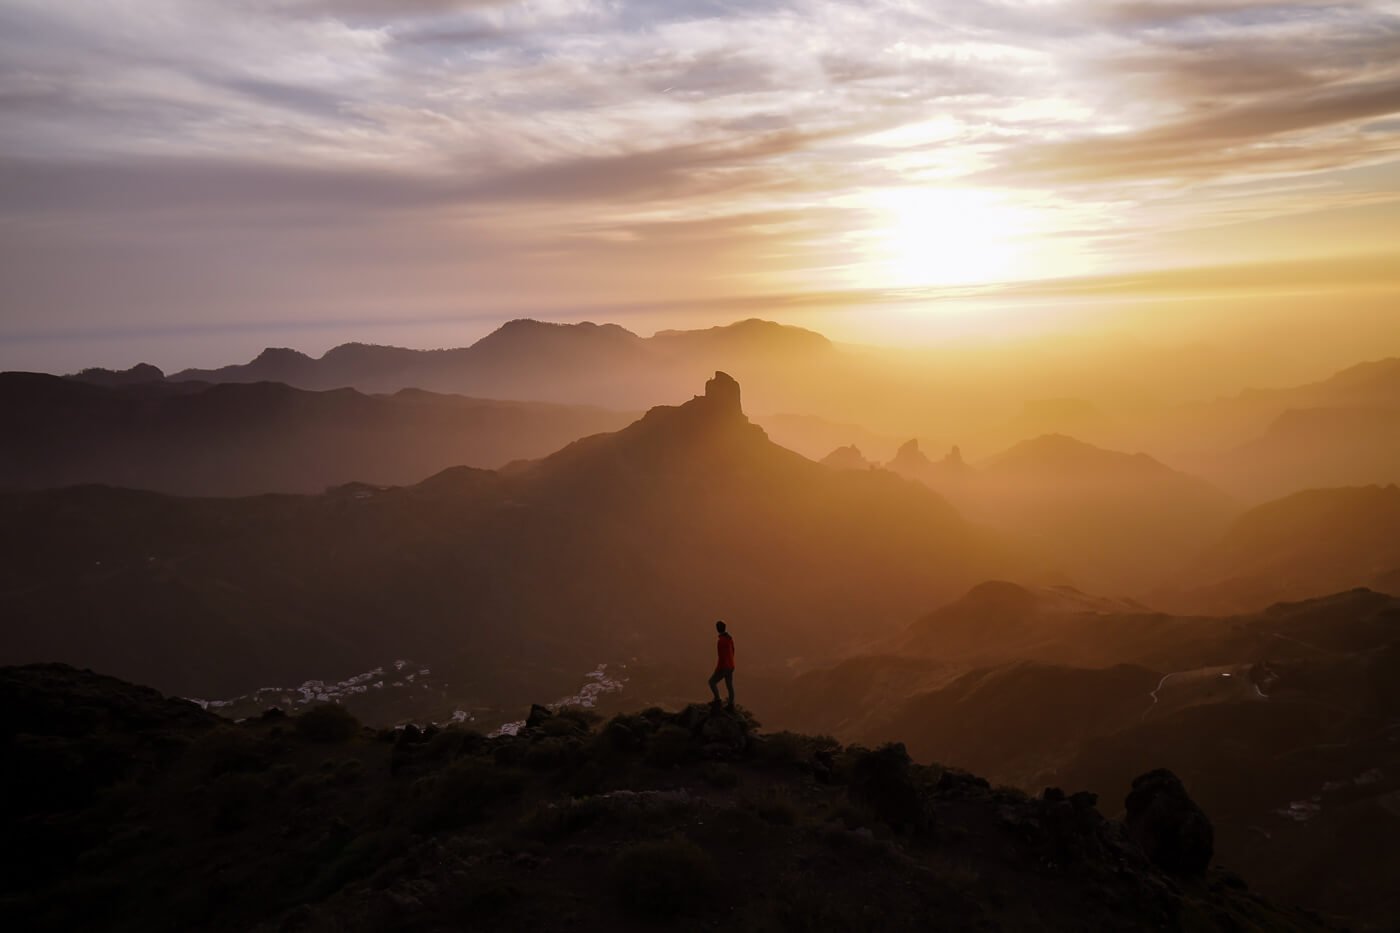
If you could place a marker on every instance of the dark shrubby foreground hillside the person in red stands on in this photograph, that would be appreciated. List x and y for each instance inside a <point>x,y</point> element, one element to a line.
<point>180,820</point>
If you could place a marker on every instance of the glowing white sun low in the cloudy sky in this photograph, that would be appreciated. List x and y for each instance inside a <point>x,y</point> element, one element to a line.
<point>947,237</point>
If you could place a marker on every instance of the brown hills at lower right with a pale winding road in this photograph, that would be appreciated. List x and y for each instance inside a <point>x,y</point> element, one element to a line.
<point>1283,719</point>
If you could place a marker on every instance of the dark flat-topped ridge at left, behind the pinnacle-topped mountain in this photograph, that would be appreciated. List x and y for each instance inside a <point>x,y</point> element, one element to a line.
<point>194,439</point>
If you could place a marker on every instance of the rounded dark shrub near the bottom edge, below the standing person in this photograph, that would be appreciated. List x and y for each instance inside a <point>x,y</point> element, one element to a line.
<point>663,880</point>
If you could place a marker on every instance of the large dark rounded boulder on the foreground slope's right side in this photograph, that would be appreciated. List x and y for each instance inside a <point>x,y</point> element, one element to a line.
<point>1168,826</point>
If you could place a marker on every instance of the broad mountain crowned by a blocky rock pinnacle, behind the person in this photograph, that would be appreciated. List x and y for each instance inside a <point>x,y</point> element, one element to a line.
<point>619,546</point>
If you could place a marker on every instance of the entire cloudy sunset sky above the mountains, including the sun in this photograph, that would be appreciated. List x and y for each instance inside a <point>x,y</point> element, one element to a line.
<point>187,181</point>
